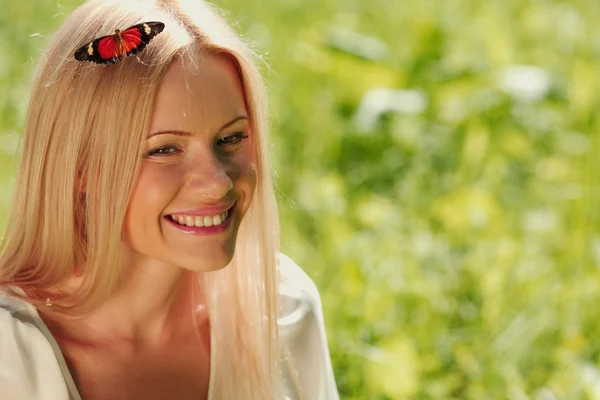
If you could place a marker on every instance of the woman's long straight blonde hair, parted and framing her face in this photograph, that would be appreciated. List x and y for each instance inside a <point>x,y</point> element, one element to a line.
<point>86,125</point>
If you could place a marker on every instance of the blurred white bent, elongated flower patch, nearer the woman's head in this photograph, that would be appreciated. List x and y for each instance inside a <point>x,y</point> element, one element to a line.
<point>378,101</point>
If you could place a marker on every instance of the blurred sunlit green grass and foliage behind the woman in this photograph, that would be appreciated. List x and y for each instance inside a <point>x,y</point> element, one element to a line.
<point>437,168</point>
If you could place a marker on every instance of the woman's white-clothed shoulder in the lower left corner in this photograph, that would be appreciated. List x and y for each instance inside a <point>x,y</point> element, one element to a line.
<point>28,365</point>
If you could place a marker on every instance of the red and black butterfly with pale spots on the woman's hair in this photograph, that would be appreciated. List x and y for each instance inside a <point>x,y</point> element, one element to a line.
<point>113,48</point>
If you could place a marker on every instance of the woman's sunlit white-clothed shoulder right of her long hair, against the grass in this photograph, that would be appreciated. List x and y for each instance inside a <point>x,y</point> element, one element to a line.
<point>306,359</point>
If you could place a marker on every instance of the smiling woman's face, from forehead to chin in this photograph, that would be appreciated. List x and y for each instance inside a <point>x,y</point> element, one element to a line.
<point>198,172</point>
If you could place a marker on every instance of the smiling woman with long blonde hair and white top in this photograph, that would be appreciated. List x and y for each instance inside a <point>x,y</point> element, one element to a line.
<point>141,254</point>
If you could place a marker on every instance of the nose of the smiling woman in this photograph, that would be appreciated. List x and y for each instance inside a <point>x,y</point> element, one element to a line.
<point>208,177</point>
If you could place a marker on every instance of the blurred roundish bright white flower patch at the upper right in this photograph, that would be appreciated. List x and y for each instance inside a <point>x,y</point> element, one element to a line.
<point>525,82</point>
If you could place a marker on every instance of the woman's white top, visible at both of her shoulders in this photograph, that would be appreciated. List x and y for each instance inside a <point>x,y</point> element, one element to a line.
<point>32,366</point>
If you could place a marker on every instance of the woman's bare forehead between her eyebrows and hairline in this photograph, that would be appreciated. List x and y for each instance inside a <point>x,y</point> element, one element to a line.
<point>198,94</point>
